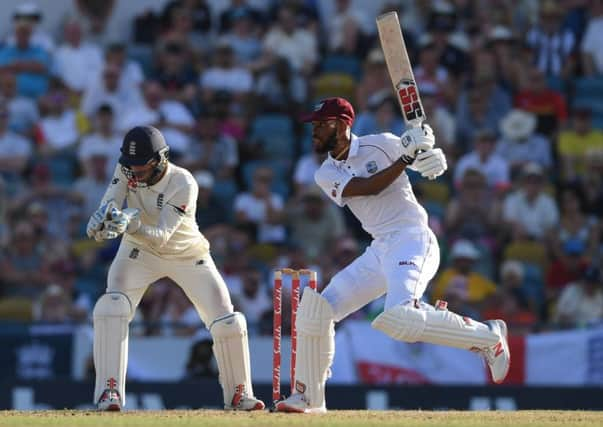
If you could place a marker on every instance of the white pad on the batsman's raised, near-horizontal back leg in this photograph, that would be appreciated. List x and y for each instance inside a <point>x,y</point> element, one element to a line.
<point>404,322</point>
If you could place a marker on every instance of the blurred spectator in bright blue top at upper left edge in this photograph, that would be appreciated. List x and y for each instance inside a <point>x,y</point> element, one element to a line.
<point>30,63</point>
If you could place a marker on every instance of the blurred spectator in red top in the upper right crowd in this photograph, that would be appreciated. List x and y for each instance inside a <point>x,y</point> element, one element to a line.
<point>536,97</point>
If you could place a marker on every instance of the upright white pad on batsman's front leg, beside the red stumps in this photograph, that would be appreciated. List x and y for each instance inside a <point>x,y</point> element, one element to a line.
<point>315,346</point>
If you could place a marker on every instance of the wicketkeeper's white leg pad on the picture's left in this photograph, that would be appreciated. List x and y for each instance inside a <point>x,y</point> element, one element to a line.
<point>111,318</point>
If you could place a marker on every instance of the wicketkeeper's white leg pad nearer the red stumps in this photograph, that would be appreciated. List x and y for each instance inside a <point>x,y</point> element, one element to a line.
<point>231,350</point>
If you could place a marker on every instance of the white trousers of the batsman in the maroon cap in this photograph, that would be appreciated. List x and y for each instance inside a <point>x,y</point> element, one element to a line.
<point>400,264</point>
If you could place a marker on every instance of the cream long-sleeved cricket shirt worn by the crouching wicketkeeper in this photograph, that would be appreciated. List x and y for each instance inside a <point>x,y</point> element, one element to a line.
<point>167,213</point>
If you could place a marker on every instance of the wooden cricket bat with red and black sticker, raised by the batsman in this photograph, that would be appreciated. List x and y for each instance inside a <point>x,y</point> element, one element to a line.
<point>400,69</point>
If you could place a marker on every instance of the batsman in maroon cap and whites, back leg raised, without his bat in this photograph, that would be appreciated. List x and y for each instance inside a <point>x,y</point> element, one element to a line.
<point>367,173</point>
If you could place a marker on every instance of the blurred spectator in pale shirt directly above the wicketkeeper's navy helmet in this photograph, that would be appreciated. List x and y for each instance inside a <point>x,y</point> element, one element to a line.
<point>171,117</point>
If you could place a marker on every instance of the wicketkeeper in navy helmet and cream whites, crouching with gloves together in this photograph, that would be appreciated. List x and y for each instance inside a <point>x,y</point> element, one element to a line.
<point>160,239</point>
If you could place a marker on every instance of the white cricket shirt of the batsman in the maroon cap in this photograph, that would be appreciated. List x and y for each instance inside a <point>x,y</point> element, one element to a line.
<point>391,210</point>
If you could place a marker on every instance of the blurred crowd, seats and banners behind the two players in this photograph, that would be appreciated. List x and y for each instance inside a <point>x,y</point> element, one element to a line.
<point>513,90</point>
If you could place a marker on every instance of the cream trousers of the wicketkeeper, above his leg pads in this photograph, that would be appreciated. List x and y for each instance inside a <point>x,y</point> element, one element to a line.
<point>134,269</point>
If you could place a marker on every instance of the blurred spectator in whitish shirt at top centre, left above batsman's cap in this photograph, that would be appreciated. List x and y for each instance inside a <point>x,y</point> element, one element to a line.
<point>286,38</point>
